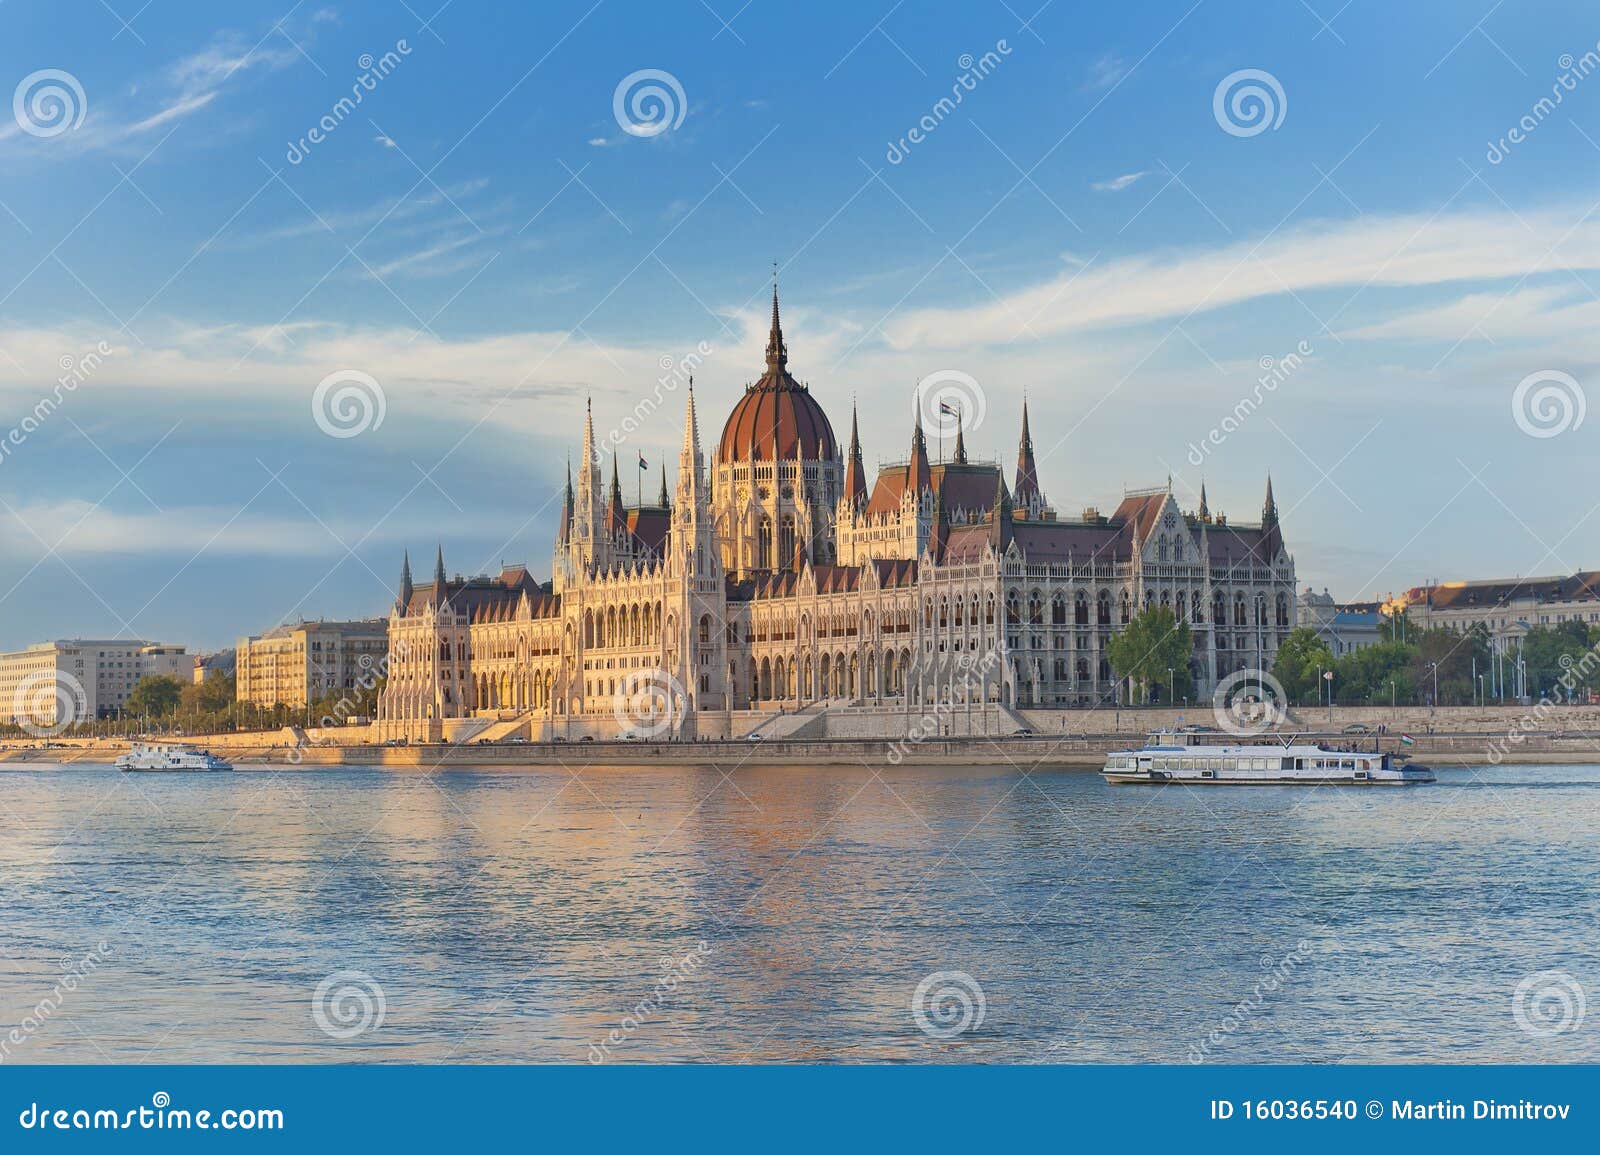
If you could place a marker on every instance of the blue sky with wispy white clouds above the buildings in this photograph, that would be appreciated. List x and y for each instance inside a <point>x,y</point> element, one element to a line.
<point>484,239</point>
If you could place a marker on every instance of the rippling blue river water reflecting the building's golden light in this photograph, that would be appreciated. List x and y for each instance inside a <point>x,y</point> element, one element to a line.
<point>790,916</point>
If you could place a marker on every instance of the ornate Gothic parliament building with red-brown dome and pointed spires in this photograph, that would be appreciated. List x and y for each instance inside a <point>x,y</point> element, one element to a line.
<point>778,588</point>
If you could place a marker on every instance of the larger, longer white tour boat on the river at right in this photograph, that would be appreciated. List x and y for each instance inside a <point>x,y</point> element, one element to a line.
<point>1186,757</point>
